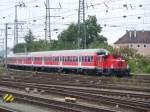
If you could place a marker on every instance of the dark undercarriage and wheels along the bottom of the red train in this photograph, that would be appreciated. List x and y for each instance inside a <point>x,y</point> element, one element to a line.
<point>85,71</point>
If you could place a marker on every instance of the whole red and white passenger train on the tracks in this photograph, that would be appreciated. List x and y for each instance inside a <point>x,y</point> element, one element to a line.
<point>95,61</point>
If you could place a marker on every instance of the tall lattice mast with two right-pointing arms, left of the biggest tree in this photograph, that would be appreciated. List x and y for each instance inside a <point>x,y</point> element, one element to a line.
<point>48,20</point>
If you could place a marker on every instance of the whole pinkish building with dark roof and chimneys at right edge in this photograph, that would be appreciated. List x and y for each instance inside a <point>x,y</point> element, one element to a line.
<point>139,40</point>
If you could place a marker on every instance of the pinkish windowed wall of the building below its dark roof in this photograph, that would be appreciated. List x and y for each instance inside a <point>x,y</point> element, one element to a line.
<point>143,49</point>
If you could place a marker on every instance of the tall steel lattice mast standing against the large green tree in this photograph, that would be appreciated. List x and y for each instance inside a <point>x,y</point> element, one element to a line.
<point>81,25</point>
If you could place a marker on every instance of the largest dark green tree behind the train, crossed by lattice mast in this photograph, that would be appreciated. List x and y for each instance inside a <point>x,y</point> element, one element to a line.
<point>68,39</point>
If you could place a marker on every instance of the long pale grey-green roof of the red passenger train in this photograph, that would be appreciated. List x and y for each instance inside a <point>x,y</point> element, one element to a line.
<point>77,51</point>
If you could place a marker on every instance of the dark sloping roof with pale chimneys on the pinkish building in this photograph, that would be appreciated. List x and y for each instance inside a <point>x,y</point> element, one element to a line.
<point>134,37</point>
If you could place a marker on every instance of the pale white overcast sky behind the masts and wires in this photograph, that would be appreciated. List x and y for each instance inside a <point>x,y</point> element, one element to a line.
<point>108,12</point>
